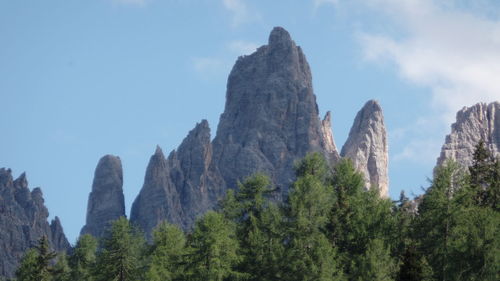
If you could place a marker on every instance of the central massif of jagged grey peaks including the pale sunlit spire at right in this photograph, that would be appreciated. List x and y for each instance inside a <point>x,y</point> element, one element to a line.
<point>270,121</point>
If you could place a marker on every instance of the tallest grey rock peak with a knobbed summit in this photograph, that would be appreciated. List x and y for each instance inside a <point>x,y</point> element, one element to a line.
<point>270,117</point>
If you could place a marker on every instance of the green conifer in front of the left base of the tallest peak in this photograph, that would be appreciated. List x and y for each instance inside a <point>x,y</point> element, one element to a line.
<point>257,228</point>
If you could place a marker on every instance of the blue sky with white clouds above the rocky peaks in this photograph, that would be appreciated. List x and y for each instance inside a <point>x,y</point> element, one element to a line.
<point>80,79</point>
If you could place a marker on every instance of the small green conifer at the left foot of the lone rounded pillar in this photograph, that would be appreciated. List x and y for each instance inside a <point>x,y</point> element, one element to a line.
<point>83,259</point>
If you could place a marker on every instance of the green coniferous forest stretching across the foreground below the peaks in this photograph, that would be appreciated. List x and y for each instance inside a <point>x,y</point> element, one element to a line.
<point>329,228</point>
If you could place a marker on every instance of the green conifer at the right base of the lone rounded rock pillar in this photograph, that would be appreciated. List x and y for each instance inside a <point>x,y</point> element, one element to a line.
<point>122,250</point>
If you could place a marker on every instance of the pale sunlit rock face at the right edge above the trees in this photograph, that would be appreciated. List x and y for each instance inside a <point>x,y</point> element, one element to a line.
<point>481,121</point>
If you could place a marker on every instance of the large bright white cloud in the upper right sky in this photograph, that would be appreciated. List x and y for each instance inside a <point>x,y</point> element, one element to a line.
<point>451,51</point>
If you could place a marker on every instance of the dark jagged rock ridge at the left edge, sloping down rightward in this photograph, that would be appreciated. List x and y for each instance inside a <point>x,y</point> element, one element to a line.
<point>23,220</point>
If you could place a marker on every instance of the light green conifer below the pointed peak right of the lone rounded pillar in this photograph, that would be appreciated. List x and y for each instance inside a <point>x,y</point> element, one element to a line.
<point>166,256</point>
